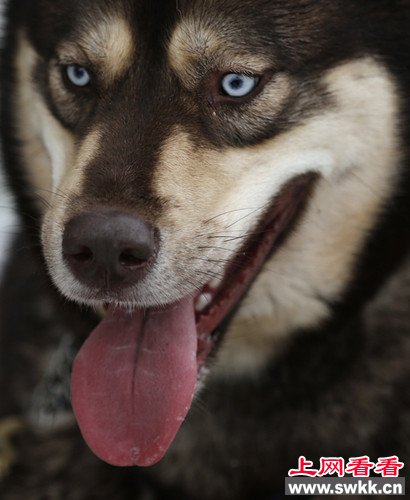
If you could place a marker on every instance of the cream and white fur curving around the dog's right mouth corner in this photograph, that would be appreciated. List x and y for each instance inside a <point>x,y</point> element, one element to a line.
<point>353,145</point>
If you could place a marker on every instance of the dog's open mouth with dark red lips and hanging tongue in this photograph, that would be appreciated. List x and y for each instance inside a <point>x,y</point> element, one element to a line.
<point>135,377</point>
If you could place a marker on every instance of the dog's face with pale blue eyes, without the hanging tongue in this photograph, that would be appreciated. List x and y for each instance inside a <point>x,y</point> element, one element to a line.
<point>208,130</point>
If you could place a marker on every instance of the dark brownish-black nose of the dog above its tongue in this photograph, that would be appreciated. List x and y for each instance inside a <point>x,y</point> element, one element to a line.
<point>108,249</point>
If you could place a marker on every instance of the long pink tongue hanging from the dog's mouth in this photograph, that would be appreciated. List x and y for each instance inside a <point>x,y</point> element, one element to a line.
<point>133,382</point>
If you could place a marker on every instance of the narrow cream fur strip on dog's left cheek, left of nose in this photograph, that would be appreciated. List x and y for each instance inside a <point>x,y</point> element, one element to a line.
<point>54,158</point>
